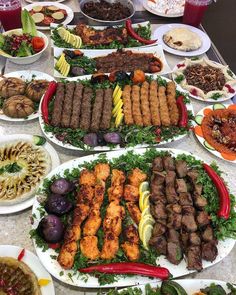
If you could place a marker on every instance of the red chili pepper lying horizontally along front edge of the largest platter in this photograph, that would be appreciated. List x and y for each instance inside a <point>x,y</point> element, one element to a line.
<point>130,268</point>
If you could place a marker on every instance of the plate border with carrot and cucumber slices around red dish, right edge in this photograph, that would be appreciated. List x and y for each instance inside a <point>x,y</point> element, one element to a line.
<point>201,139</point>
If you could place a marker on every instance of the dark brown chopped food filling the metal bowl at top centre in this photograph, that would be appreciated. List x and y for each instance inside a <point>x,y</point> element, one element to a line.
<point>104,10</point>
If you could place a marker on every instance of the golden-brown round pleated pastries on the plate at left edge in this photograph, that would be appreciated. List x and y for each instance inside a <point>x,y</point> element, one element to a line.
<point>20,98</point>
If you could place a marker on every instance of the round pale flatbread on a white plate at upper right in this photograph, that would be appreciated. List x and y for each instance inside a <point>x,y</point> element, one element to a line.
<point>182,39</point>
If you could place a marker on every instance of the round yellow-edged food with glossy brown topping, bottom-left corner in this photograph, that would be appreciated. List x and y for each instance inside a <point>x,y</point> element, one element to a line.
<point>18,273</point>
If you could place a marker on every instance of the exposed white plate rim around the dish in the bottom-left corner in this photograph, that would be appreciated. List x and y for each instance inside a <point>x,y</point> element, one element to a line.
<point>34,264</point>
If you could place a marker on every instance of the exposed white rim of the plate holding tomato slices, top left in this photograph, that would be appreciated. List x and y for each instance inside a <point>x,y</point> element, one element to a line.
<point>70,13</point>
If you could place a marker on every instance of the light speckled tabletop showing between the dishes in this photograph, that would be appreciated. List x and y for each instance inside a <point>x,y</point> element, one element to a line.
<point>15,228</point>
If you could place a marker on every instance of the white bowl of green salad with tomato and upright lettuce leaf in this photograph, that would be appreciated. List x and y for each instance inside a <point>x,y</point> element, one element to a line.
<point>23,46</point>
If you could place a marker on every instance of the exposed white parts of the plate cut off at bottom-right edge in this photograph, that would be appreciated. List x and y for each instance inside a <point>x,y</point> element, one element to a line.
<point>191,286</point>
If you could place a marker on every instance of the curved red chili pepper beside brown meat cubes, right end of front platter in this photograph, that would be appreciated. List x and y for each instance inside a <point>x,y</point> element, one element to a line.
<point>224,211</point>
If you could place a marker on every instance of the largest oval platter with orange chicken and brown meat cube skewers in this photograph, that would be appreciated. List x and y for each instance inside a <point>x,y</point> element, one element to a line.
<point>130,211</point>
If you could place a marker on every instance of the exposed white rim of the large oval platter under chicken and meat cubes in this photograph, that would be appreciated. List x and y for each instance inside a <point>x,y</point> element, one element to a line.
<point>224,247</point>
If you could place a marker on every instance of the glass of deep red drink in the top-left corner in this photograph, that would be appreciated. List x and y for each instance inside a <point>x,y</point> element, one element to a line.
<point>10,14</point>
